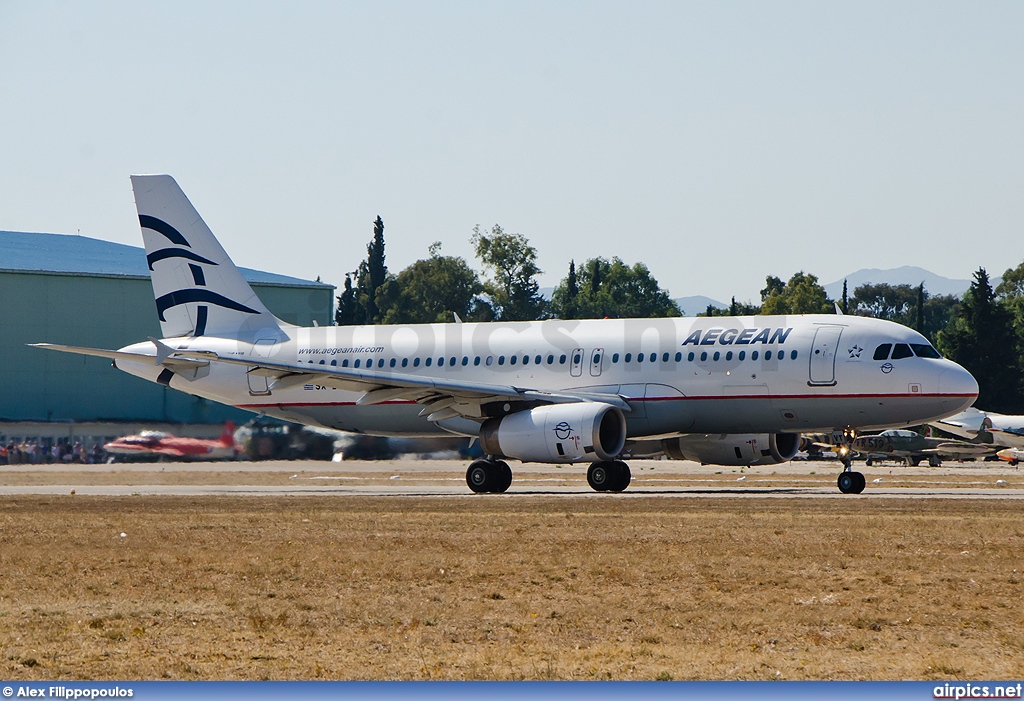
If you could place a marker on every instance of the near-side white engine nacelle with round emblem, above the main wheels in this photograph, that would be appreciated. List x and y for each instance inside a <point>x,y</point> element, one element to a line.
<point>559,433</point>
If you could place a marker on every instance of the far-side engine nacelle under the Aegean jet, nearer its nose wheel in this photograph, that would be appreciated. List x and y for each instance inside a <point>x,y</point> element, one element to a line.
<point>734,449</point>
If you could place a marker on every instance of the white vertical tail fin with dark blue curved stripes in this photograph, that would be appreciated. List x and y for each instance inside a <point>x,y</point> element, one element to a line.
<point>199,290</point>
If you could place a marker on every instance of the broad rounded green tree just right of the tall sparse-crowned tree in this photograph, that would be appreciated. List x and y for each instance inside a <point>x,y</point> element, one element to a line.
<point>620,292</point>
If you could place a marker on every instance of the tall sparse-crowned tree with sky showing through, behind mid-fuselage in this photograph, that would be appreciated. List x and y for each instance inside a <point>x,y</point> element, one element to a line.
<point>514,289</point>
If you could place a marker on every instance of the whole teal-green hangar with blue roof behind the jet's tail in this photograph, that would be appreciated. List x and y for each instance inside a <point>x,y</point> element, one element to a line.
<point>86,292</point>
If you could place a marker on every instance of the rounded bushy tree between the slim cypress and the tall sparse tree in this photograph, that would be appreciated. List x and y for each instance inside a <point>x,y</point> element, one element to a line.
<point>433,290</point>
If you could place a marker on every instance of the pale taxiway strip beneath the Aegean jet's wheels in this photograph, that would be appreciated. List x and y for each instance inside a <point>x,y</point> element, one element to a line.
<point>800,479</point>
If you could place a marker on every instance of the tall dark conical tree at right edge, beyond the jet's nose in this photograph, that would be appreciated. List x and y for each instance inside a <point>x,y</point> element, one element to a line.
<point>982,338</point>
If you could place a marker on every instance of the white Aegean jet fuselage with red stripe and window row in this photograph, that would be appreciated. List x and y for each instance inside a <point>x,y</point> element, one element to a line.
<point>696,375</point>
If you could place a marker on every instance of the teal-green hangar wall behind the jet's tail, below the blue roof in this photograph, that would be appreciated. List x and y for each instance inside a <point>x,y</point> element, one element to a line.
<point>107,312</point>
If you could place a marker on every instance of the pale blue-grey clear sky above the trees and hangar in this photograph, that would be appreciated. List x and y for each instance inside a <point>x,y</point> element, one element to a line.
<point>718,143</point>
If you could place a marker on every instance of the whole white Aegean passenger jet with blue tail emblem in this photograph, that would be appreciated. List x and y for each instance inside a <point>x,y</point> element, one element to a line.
<point>558,391</point>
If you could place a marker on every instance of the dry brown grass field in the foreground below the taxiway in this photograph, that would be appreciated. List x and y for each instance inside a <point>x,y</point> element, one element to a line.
<point>510,588</point>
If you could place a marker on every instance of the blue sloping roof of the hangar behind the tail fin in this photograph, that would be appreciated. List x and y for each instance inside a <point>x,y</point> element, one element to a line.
<point>24,252</point>
